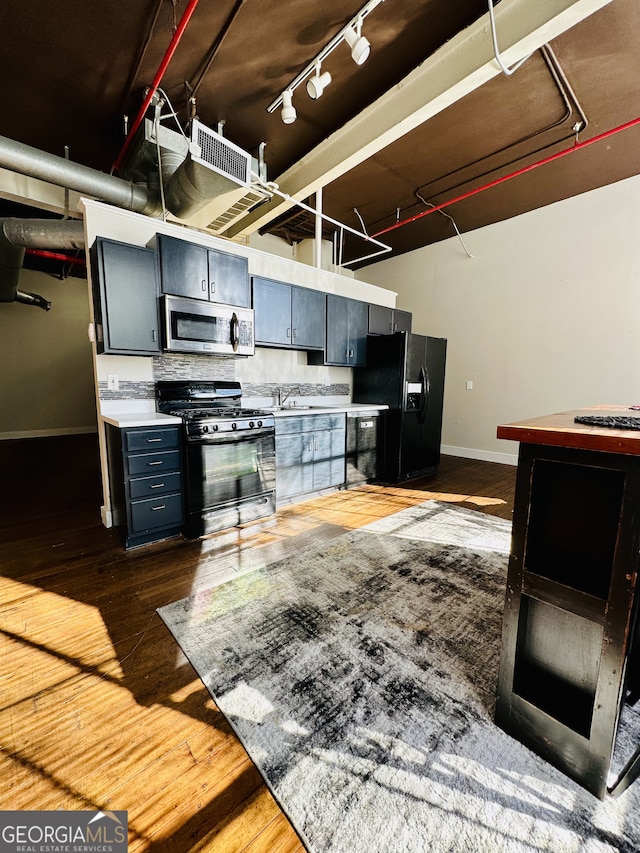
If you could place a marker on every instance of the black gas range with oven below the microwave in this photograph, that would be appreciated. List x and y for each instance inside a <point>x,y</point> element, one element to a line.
<point>228,452</point>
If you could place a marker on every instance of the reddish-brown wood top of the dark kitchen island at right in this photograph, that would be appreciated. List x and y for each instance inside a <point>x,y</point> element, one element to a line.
<point>560,430</point>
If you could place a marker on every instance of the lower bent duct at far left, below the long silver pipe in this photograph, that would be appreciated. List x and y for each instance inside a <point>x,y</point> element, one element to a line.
<point>16,235</point>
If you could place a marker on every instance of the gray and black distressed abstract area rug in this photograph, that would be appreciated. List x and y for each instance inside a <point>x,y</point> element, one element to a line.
<point>360,676</point>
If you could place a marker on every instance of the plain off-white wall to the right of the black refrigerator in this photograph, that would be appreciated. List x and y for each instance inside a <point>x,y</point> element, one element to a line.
<point>544,318</point>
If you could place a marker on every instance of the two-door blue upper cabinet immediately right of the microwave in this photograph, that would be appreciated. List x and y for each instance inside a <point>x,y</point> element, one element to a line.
<point>287,315</point>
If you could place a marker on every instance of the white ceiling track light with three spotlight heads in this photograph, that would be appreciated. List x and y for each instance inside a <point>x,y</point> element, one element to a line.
<point>318,81</point>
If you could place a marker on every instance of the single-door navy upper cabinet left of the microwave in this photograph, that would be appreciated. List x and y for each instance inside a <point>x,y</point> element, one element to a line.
<point>125,292</point>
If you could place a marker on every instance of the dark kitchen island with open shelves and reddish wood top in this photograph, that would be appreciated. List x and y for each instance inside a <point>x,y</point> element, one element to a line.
<point>569,647</point>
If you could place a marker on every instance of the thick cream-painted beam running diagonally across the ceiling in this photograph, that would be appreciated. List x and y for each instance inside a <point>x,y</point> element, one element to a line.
<point>459,67</point>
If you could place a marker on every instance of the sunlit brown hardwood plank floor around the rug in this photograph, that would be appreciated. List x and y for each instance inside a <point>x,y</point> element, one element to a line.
<point>99,709</point>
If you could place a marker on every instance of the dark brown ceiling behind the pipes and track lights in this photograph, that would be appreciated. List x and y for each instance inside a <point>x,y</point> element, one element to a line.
<point>71,71</point>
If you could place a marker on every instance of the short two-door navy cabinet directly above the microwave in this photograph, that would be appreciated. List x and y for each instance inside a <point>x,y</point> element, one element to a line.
<point>188,269</point>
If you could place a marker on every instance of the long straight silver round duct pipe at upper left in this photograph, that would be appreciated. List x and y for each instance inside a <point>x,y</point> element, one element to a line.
<point>26,160</point>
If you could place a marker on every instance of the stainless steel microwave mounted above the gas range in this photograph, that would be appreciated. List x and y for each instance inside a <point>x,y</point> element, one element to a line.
<point>192,325</point>
